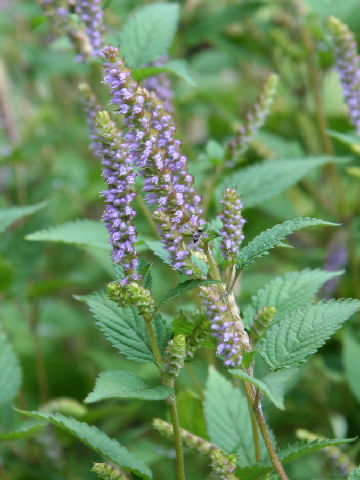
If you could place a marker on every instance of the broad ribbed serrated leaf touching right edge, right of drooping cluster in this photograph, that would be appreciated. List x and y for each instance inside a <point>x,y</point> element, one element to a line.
<point>294,338</point>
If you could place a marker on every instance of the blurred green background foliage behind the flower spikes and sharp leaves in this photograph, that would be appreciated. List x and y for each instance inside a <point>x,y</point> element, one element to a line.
<point>231,47</point>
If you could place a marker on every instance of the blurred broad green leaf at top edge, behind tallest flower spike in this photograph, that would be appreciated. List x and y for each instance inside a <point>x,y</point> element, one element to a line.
<point>148,33</point>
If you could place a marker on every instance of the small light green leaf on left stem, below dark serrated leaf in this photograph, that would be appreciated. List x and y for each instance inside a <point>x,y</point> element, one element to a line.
<point>125,384</point>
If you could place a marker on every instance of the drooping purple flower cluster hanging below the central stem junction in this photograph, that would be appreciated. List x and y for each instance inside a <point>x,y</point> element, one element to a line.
<point>223,327</point>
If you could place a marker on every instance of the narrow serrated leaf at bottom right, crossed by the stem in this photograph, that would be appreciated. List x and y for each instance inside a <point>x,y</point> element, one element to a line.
<point>287,455</point>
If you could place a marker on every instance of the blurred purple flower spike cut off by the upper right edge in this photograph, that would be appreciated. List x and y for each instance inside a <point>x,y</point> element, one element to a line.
<point>348,66</point>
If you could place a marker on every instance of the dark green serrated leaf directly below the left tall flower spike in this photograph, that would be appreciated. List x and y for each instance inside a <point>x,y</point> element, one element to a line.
<point>122,326</point>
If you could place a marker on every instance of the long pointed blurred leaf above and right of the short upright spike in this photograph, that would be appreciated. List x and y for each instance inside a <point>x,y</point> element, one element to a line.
<point>268,179</point>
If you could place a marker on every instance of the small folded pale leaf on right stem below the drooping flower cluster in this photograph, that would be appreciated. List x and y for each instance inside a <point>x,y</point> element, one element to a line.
<point>273,385</point>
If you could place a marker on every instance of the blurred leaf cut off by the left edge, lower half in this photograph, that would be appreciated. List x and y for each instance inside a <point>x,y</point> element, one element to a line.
<point>10,371</point>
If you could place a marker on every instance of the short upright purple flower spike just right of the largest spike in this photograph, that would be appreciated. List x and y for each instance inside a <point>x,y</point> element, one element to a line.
<point>233,222</point>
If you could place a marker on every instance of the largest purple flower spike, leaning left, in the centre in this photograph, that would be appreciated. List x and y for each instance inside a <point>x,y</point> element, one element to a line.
<point>153,148</point>
